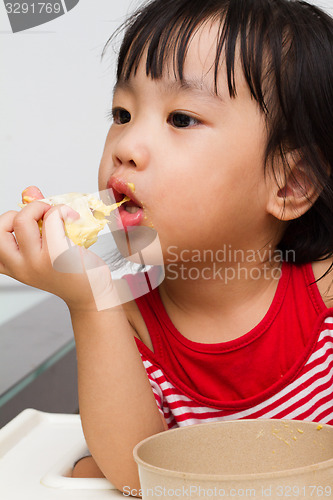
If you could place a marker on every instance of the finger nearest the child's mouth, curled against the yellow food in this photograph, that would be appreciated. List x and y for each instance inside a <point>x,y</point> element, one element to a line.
<point>64,254</point>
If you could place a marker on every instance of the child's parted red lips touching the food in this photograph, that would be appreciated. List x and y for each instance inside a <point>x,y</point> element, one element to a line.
<point>120,189</point>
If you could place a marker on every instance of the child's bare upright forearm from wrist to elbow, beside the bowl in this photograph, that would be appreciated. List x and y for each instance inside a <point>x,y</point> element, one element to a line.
<point>117,405</point>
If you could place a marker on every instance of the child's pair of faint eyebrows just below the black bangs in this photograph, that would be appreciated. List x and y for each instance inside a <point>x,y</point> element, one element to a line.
<point>193,85</point>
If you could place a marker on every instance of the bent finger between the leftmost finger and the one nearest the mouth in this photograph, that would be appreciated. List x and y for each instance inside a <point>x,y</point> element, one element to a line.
<point>27,230</point>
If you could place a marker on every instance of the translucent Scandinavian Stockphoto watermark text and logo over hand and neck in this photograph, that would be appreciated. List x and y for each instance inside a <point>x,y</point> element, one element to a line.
<point>137,253</point>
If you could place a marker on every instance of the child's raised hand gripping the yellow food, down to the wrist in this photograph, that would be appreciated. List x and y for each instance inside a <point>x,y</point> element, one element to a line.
<point>51,261</point>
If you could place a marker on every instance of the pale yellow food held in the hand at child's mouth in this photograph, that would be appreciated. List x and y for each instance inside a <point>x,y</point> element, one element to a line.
<point>93,213</point>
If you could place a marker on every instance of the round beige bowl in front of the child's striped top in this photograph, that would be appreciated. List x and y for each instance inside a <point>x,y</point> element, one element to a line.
<point>270,459</point>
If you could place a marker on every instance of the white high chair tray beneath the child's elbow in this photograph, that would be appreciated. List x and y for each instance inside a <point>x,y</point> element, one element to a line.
<point>37,453</point>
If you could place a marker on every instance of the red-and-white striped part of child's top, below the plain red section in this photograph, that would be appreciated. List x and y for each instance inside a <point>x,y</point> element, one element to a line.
<point>308,397</point>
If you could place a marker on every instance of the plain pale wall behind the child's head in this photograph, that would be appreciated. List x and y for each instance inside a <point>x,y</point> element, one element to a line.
<point>54,96</point>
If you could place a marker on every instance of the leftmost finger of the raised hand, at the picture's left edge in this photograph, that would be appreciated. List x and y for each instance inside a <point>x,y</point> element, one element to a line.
<point>8,246</point>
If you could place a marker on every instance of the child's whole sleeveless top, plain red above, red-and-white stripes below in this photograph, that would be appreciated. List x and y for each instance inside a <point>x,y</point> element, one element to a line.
<point>289,386</point>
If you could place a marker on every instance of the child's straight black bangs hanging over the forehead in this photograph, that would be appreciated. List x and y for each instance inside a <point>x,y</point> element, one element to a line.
<point>163,31</point>
